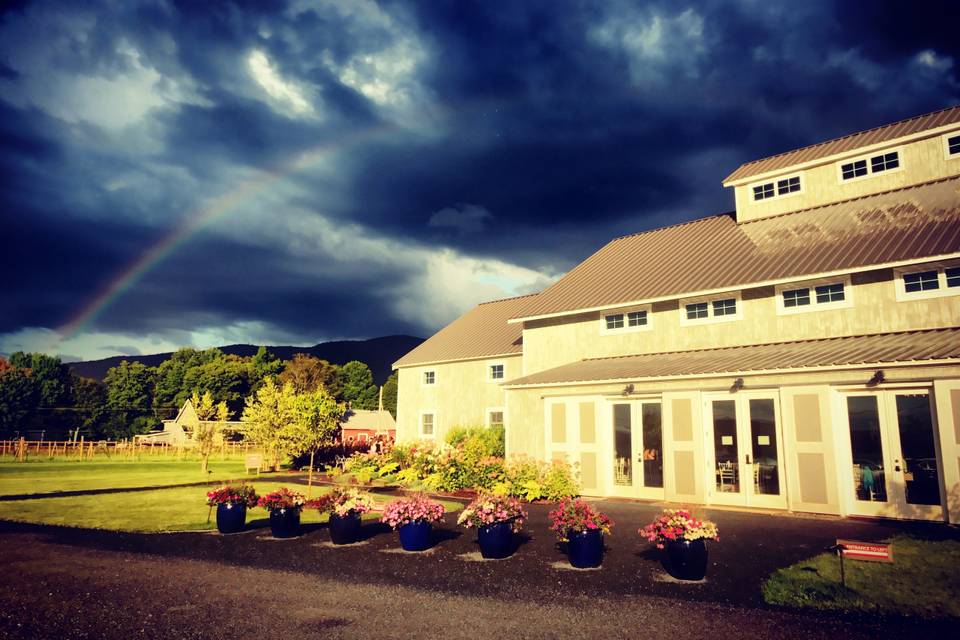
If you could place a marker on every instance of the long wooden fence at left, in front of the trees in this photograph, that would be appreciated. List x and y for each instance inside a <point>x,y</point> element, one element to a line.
<point>22,450</point>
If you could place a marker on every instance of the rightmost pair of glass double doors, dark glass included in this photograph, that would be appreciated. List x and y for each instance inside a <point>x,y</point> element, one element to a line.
<point>894,464</point>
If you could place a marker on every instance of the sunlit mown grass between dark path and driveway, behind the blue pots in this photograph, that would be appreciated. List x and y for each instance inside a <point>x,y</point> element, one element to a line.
<point>178,509</point>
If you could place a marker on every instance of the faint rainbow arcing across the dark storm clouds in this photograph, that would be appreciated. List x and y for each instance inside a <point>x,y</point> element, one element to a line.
<point>196,222</point>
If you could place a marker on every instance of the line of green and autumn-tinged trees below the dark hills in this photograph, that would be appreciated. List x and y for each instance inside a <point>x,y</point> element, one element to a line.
<point>39,392</point>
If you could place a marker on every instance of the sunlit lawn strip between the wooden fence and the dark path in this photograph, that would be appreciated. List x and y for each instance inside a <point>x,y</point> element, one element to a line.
<point>19,478</point>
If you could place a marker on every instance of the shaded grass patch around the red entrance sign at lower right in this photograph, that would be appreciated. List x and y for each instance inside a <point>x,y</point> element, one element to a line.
<point>923,581</point>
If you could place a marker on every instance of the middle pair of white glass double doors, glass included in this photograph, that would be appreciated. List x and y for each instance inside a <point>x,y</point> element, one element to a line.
<point>744,450</point>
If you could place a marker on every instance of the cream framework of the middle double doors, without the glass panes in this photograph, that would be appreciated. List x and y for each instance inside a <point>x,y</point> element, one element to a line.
<point>747,497</point>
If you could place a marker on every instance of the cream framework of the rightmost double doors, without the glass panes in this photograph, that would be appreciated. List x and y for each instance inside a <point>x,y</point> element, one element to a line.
<point>896,505</point>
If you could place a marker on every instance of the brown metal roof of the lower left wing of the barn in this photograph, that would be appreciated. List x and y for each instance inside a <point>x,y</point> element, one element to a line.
<point>483,331</point>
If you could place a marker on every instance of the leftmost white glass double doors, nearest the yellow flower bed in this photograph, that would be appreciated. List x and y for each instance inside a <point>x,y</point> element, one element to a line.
<point>636,460</point>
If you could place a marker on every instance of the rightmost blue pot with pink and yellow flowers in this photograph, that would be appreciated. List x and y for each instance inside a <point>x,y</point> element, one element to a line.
<point>683,539</point>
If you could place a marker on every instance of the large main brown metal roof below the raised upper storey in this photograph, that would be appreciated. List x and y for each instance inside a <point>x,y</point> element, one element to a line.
<point>717,253</point>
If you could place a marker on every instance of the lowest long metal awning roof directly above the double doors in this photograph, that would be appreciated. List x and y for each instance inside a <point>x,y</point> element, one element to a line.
<point>907,346</point>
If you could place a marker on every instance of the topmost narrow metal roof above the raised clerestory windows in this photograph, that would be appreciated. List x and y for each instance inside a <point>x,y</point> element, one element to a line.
<point>847,143</point>
